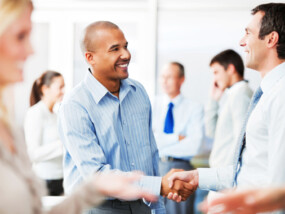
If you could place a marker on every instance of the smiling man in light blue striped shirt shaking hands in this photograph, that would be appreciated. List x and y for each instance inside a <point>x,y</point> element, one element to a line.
<point>105,123</point>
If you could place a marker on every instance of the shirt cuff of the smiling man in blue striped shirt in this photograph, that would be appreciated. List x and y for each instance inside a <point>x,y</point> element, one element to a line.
<point>151,184</point>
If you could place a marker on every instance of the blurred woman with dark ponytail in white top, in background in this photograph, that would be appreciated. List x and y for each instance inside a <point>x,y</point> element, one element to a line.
<point>43,143</point>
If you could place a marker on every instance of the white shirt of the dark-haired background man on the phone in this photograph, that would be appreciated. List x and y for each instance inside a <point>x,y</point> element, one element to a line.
<point>225,126</point>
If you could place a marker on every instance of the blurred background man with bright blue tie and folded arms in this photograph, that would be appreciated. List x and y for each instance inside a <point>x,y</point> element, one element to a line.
<point>181,139</point>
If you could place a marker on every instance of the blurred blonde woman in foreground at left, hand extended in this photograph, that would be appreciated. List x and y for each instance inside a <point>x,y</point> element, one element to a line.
<point>20,190</point>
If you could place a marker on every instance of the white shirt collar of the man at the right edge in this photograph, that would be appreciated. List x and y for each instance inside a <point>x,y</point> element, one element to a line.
<point>272,77</point>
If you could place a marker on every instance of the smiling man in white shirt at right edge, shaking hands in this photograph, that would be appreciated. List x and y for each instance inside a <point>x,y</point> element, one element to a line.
<point>261,162</point>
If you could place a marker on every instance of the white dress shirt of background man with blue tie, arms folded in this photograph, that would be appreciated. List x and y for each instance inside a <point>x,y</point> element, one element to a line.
<point>188,122</point>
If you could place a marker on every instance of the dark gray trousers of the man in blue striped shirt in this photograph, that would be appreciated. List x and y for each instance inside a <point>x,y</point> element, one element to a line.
<point>121,207</point>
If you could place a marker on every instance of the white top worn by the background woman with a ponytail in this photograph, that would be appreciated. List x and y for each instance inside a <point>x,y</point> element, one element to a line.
<point>44,146</point>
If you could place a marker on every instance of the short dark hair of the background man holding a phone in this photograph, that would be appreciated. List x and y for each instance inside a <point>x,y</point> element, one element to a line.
<point>227,57</point>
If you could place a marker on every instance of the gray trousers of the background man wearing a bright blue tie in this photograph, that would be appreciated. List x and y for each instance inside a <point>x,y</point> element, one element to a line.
<point>185,207</point>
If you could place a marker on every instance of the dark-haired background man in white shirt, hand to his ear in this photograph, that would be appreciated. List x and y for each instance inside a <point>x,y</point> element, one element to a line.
<point>224,123</point>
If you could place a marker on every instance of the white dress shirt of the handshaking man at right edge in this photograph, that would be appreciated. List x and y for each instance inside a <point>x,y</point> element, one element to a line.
<point>264,155</point>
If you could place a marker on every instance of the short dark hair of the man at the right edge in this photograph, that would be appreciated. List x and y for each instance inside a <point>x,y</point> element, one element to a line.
<point>273,20</point>
